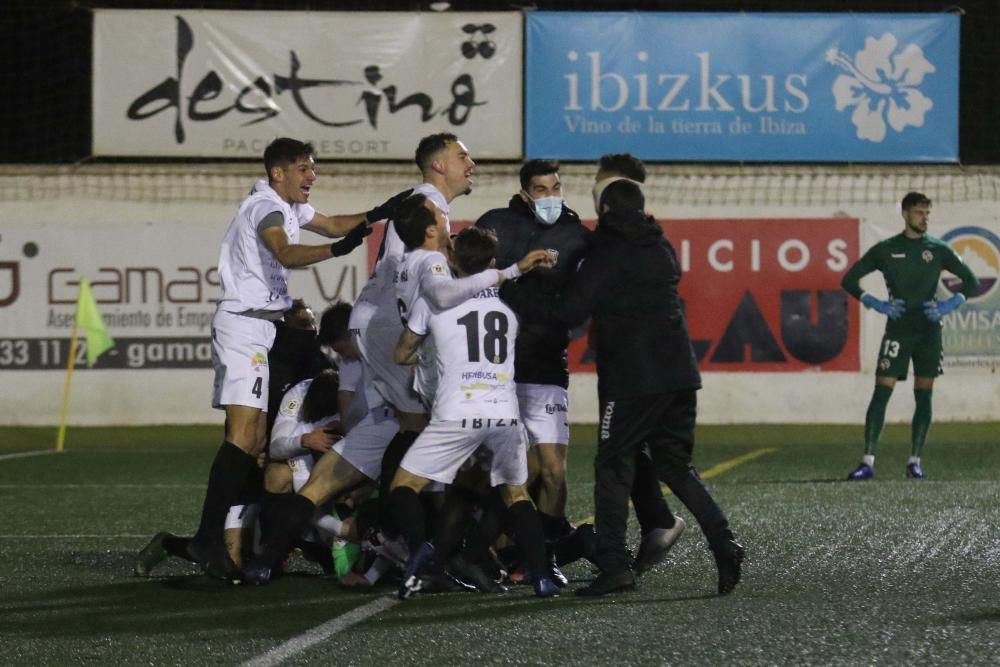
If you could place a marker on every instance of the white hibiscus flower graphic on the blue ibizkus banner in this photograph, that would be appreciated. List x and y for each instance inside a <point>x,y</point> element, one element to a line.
<point>881,85</point>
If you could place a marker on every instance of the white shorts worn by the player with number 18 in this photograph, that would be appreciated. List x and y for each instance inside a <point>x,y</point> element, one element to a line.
<point>443,447</point>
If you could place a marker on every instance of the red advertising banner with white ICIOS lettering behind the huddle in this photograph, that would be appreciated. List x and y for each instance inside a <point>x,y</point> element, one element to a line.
<point>762,294</point>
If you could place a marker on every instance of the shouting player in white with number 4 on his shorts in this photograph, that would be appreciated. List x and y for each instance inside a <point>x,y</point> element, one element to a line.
<point>259,247</point>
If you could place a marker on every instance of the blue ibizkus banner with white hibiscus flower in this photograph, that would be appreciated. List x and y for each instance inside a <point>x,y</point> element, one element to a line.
<point>743,87</point>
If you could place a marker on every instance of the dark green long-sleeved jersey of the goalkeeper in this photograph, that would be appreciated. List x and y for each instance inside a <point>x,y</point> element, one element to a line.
<point>912,269</point>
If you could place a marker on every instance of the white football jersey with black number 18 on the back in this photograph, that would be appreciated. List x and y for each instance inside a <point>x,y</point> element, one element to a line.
<point>474,356</point>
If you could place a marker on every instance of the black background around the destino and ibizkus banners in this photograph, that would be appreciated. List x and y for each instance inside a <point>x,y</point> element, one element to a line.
<point>46,58</point>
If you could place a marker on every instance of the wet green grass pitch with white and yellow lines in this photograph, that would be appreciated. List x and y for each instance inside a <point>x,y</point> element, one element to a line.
<point>884,572</point>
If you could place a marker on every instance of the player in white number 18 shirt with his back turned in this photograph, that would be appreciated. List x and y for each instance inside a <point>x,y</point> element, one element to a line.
<point>475,406</point>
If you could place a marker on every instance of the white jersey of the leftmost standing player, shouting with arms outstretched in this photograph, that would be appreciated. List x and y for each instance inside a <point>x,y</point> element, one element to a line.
<point>250,276</point>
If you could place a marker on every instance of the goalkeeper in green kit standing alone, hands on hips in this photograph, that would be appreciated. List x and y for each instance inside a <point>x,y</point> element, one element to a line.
<point>911,263</point>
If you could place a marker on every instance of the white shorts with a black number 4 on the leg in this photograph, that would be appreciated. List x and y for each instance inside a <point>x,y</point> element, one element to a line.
<point>239,356</point>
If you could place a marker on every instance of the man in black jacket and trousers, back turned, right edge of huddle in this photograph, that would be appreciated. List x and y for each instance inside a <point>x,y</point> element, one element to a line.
<point>647,377</point>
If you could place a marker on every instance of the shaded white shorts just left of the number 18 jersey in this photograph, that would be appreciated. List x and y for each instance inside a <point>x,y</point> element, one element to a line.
<point>376,331</point>
